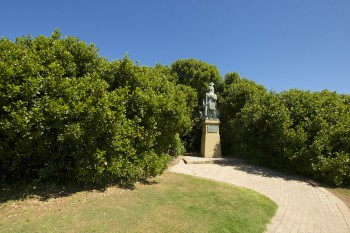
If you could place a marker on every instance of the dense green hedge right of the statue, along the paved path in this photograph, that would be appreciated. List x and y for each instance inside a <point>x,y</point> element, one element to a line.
<point>300,131</point>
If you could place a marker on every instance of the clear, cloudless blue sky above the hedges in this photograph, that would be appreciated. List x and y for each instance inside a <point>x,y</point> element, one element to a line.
<point>281,44</point>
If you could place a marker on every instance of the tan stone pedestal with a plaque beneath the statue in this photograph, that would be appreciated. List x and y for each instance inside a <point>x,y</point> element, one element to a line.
<point>210,147</point>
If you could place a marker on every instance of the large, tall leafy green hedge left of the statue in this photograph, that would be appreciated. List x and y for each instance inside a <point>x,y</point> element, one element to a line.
<point>68,114</point>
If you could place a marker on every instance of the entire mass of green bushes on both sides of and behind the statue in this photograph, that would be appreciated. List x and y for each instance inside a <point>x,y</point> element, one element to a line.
<point>66,114</point>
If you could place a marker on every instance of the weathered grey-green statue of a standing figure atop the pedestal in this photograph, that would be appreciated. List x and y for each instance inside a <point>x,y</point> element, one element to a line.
<point>210,104</point>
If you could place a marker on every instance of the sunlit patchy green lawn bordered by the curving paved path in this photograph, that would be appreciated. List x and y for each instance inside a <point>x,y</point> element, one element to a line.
<point>172,203</point>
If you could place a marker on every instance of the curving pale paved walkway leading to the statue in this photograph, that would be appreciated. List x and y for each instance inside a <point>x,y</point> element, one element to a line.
<point>302,207</point>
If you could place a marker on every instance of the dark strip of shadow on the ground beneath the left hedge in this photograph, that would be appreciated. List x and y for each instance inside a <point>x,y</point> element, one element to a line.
<point>46,191</point>
